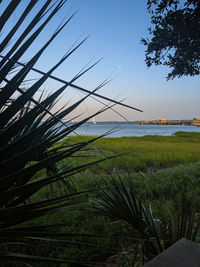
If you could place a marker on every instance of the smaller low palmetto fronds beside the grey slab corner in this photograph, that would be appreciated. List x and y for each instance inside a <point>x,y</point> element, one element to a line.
<point>151,234</point>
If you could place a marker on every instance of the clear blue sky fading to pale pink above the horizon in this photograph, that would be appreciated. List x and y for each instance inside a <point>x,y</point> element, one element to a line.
<point>115,28</point>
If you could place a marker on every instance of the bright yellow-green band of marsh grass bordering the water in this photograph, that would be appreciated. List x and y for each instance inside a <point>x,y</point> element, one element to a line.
<point>146,153</point>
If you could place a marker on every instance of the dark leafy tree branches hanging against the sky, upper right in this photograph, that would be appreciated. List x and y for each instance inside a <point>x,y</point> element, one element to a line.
<point>175,36</point>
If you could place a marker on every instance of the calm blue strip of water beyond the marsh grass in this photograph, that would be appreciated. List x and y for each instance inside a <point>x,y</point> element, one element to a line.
<point>120,129</point>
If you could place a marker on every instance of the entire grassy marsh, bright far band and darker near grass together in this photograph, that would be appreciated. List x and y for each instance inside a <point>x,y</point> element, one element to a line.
<point>161,167</point>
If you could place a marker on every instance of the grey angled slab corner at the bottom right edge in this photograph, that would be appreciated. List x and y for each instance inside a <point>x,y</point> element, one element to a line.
<point>184,253</point>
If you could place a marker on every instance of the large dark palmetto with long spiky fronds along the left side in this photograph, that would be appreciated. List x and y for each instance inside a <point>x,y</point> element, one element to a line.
<point>29,130</point>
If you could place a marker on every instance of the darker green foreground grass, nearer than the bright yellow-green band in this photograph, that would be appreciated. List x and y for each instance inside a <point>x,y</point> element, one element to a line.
<point>116,238</point>
